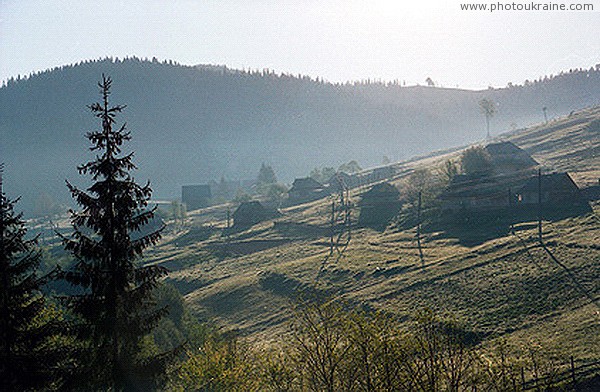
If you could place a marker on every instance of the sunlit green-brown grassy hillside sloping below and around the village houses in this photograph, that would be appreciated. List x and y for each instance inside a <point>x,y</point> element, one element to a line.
<point>504,286</point>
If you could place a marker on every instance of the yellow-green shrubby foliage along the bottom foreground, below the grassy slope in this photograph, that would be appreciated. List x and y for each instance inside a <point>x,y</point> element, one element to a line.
<point>333,348</point>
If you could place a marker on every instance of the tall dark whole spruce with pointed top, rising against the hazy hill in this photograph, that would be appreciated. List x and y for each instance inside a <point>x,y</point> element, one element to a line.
<point>110,233</point>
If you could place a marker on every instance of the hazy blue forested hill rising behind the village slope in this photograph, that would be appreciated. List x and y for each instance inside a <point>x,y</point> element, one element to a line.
<point>193,124</point>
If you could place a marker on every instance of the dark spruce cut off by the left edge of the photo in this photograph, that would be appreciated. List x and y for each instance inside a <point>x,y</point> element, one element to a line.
<point>29,355</point>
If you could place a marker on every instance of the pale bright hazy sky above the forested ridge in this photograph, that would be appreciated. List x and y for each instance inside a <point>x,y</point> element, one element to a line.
<point>336,40</point>
